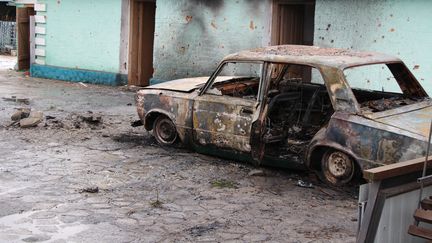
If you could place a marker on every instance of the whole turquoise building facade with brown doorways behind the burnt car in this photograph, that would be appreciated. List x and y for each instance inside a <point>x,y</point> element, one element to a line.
<point>140,42</point>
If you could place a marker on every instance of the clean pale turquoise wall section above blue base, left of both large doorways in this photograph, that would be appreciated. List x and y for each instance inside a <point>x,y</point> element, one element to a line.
<point>83,34</point>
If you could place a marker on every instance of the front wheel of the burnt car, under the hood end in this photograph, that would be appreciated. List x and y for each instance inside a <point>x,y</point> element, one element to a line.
<point>164,131</point>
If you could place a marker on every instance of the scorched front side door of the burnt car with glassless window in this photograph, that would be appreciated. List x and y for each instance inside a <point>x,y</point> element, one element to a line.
<point>222,120</point>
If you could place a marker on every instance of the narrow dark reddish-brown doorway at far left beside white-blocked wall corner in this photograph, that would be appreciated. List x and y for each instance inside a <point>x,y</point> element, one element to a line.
<point>23,26</point>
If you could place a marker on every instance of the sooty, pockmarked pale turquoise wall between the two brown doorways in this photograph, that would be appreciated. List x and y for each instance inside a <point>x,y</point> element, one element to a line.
<point>192,36</point>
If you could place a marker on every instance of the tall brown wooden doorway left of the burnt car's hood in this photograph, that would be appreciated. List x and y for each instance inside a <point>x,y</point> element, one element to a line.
<point>141,39</point>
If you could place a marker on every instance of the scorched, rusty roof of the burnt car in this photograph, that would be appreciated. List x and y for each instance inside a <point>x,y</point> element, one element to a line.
<point>313,56</point>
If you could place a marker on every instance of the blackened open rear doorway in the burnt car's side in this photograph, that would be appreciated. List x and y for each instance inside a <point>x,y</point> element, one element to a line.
<point>298,106</point>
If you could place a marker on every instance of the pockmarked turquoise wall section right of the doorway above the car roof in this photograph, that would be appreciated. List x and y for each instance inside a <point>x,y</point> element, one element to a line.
<point>399,27</point>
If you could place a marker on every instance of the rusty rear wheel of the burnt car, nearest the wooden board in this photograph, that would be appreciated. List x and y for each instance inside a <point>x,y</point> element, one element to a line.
<point>337,168</point>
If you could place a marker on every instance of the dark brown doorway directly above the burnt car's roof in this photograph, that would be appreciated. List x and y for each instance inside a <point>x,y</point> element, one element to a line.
<point>293,22</point>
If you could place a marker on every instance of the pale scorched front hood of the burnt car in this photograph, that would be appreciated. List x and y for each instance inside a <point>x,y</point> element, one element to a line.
<point>187,84</point>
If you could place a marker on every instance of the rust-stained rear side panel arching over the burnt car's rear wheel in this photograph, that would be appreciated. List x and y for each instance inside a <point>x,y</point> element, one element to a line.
<point>370,143</point>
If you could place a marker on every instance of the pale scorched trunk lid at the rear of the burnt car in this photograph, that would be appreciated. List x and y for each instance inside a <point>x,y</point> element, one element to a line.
<point>414,118</point>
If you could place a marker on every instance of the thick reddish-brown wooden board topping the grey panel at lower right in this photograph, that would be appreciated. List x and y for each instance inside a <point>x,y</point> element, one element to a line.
<point>396,169</point>
